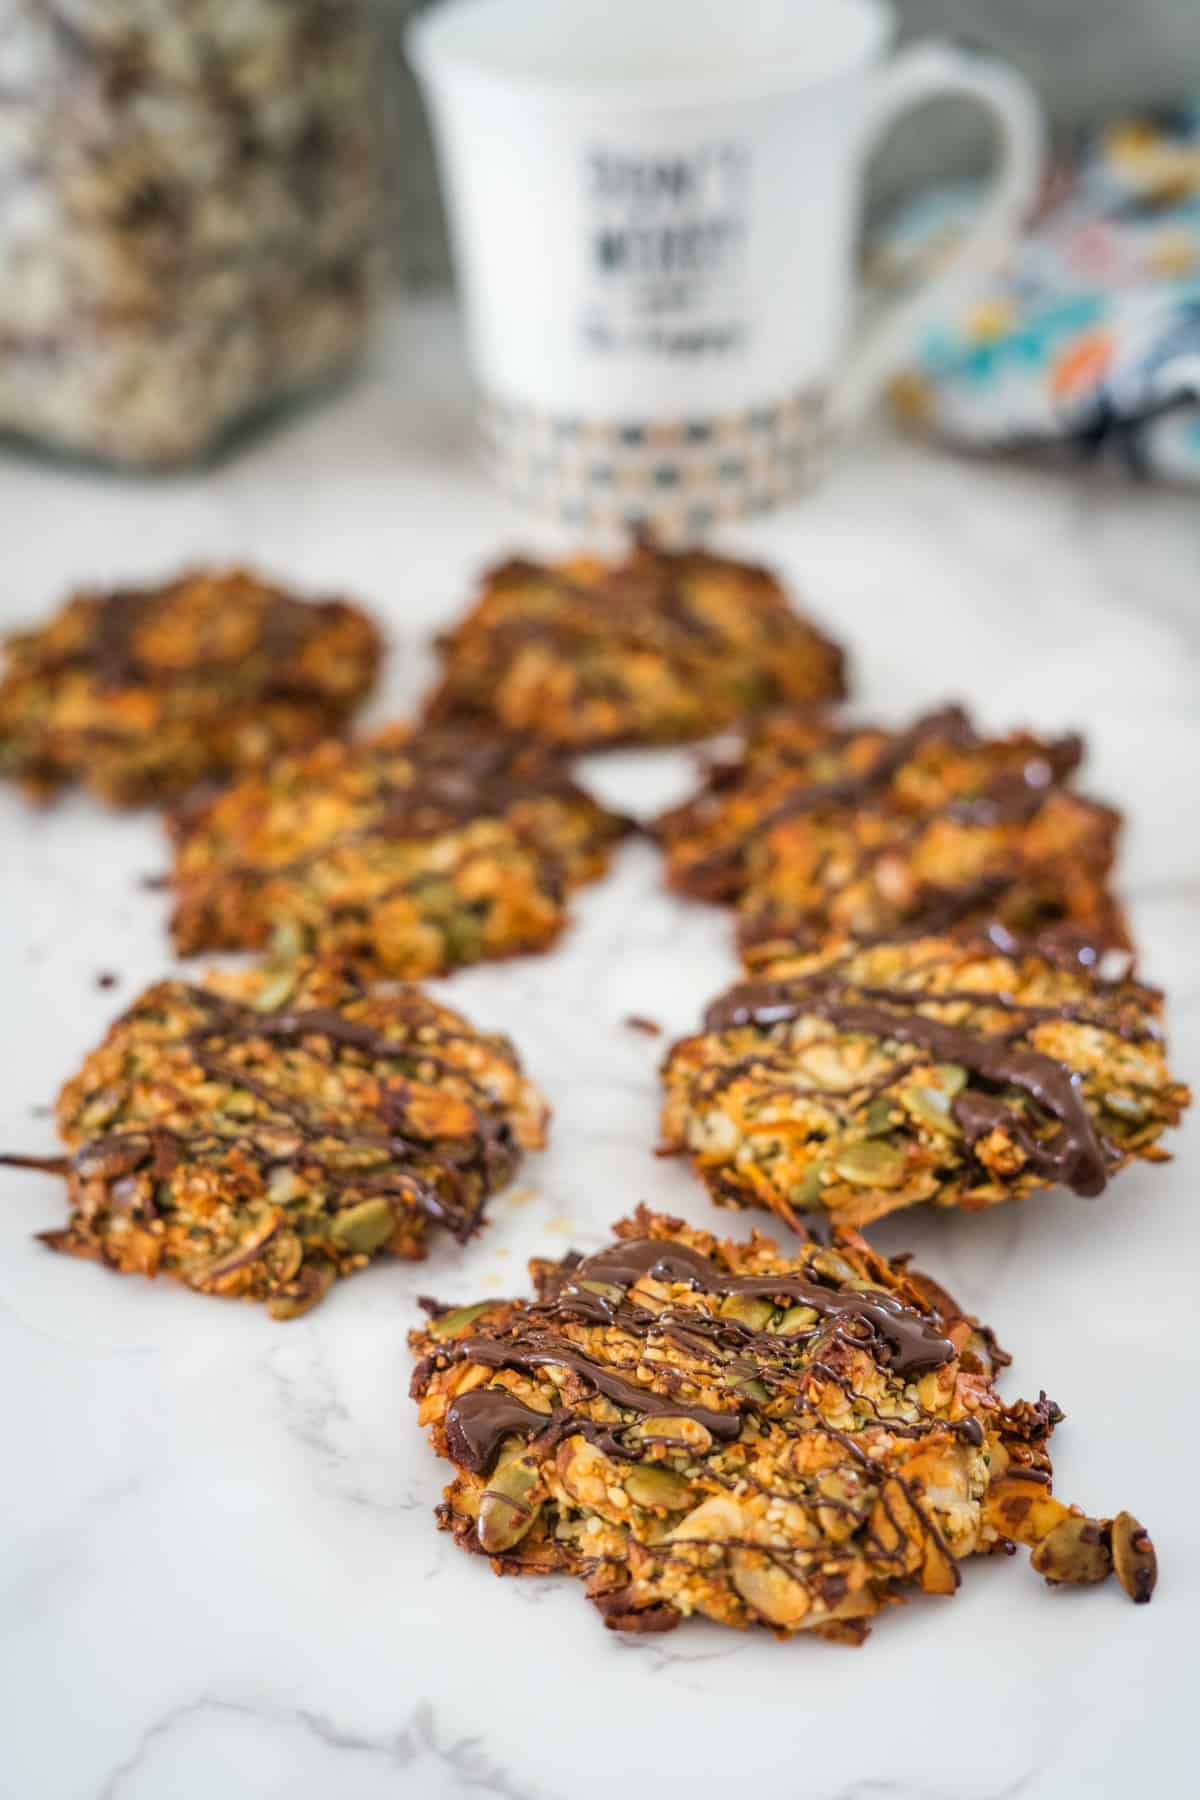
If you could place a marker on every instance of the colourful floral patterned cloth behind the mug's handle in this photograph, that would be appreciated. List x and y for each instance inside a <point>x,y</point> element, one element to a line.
<point>1089,339</point>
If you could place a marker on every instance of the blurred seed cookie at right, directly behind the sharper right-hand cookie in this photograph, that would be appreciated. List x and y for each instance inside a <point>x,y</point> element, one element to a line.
<point>827,832</point>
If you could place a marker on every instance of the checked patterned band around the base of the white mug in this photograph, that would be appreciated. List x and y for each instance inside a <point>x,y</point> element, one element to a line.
<point>674,476</point>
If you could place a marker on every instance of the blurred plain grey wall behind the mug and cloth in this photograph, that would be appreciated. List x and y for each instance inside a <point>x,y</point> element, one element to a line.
<point>1088,60</point>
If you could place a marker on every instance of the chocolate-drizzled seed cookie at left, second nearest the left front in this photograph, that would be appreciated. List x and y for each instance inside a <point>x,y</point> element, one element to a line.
<point>264,1135</point>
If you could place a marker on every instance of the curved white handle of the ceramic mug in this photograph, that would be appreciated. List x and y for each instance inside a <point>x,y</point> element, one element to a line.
<point>918,75</point>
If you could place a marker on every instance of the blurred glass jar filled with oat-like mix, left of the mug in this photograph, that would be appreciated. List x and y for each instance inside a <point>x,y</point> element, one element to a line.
<point>188,215</point>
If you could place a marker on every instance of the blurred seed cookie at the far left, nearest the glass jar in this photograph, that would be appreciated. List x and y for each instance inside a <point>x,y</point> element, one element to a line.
<point>143,694</point>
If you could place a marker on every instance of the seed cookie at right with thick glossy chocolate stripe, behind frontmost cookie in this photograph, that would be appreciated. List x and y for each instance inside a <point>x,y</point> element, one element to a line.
<point>870,1079</point>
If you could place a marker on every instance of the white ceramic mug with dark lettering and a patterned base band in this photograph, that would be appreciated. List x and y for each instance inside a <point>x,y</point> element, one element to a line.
<point>654,210</point>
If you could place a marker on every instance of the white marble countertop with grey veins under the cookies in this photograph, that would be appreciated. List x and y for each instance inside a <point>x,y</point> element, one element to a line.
<point>219,1565</point>
